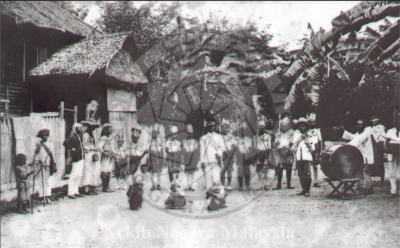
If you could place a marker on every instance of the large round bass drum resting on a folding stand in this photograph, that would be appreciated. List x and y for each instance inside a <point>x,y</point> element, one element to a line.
<point>341,162</point>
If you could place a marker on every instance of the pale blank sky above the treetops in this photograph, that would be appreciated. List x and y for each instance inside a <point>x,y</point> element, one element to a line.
<point>288,20</point>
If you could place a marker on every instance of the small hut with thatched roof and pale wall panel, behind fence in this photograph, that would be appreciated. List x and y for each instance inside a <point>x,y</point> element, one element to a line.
<point>105,68</point>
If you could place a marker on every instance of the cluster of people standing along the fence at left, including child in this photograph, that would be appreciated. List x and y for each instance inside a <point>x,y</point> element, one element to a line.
<point>92,164</point>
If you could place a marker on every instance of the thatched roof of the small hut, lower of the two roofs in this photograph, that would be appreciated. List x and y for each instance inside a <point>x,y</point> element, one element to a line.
<point>112,55</point>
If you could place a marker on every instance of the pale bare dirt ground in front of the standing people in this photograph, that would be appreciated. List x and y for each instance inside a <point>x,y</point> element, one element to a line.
<point>252,219</point>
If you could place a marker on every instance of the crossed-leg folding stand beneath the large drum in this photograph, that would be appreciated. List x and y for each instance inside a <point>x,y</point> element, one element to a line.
<point>348,185</point>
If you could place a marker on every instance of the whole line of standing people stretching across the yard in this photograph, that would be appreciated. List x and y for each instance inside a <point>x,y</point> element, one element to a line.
<point>292,144</point>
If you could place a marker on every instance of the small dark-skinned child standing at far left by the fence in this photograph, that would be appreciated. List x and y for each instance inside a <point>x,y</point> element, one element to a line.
<point>22,172</point>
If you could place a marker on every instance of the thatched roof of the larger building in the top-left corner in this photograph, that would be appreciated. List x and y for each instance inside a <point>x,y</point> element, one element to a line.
<point>45,14</point>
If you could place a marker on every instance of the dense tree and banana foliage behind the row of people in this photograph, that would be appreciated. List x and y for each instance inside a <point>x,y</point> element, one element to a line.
<point>238,58</point>
